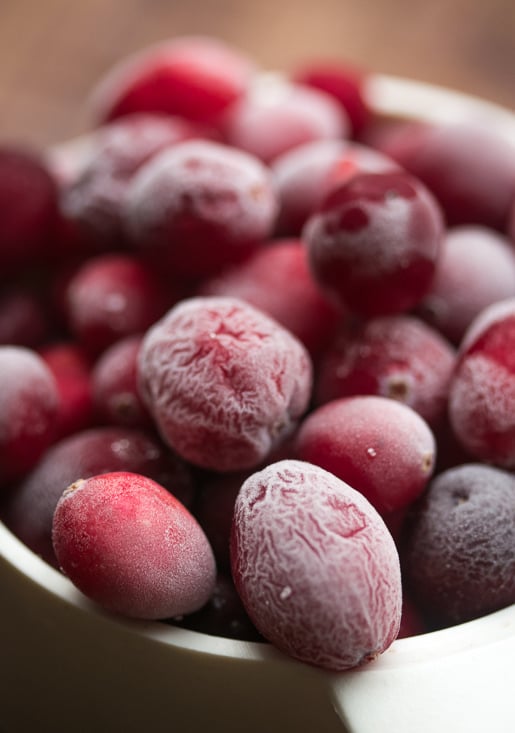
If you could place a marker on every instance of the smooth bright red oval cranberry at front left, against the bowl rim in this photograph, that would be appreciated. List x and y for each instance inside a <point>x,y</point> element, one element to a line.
<point>132,547</point>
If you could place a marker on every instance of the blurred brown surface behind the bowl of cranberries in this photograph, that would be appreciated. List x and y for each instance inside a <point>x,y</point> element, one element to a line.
<point>53,51</point>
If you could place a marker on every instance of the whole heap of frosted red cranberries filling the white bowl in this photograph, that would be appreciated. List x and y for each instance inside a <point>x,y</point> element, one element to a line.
<point>258,356</point>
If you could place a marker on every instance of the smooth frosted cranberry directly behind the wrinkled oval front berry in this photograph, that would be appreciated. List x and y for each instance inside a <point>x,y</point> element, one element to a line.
<point>379,446</point>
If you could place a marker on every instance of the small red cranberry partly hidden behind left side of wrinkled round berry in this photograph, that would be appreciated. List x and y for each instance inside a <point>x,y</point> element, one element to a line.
<point>114,382</point>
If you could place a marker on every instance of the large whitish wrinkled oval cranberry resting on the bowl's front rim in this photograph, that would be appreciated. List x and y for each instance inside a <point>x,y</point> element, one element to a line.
<point>316,568</point>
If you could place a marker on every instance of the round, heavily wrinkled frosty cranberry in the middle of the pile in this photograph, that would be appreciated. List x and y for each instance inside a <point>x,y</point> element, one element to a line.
<point>223,381</point>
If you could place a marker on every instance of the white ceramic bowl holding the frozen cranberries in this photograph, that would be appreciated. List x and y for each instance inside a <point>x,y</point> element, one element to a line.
<point>66,666</point>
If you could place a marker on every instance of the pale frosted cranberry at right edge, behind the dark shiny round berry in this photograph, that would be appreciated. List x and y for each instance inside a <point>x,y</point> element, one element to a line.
<point>476,268</point>
